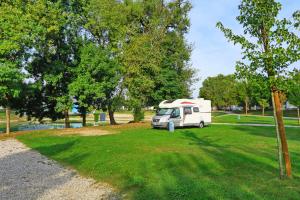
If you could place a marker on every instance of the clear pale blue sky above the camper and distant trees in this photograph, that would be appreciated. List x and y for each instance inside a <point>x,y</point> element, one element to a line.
<point>212,54</point>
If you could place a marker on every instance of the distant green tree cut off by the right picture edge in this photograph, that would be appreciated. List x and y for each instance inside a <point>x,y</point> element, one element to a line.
<point>294,92</point>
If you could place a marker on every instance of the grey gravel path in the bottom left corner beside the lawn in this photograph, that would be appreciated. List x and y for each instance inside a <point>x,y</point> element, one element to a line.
<point>26,174</point>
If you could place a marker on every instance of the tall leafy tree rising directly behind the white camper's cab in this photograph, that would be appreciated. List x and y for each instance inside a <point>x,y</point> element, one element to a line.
<point>175,75</point>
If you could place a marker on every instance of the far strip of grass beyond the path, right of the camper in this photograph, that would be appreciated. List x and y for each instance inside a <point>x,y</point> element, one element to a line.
<point>229,118</point>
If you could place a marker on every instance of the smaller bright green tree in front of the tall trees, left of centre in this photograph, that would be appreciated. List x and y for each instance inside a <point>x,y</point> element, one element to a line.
<point>98,76</point>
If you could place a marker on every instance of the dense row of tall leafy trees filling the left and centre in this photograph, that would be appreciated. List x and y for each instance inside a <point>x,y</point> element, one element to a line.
<point>98,54</point>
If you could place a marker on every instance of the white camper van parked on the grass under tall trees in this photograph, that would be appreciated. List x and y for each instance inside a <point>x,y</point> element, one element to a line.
<point>183,112</point>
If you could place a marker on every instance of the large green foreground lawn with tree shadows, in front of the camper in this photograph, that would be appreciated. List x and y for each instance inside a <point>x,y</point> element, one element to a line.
<point>217,162</point>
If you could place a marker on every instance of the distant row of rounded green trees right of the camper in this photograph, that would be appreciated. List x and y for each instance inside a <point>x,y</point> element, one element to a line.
<point>226,91</point>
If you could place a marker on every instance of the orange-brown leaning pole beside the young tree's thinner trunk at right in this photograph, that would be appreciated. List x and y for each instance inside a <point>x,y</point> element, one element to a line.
<point>282,133</point>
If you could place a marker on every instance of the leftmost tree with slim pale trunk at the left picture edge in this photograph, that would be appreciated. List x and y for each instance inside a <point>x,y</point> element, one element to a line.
<point>14,34</point>
